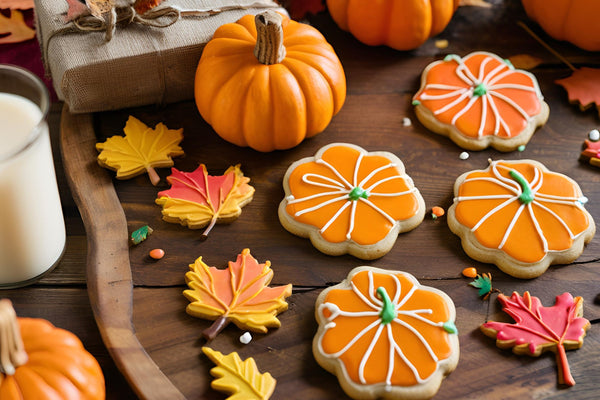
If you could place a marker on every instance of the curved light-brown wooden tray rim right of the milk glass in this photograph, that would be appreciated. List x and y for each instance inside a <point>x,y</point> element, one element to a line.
<point>108,275</point>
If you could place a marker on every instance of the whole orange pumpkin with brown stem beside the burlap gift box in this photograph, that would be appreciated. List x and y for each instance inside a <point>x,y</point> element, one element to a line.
<point>268,84</point>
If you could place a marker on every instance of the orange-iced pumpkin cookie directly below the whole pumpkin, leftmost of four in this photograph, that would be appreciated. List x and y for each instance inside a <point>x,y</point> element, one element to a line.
<point>348,200</point>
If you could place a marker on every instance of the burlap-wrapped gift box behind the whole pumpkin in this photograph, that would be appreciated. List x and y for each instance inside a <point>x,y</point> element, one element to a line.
<point>140,65</point>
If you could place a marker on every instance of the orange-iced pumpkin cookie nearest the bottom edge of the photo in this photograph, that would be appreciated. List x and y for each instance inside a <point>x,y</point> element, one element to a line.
<point>386,336</point>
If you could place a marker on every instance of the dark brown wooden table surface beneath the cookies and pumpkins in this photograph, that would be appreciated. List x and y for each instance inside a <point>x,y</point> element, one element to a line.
<point>381,82</point>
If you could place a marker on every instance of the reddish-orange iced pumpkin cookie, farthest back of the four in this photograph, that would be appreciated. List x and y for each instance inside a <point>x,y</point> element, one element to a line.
<point>479,101</point>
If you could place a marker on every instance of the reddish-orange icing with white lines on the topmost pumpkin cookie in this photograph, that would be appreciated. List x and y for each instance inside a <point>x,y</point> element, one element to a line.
<point>490,81</point>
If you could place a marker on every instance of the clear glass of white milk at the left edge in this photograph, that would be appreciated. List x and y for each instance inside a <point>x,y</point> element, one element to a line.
<point>32,228</point>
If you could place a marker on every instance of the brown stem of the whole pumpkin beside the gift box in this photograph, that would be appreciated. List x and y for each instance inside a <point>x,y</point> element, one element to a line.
<point>269,47</point>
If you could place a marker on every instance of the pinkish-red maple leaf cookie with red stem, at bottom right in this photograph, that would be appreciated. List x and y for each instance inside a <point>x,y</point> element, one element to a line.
<point>537,328</point>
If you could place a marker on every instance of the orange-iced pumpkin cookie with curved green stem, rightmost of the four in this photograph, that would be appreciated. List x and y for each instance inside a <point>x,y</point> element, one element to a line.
<point>520,216</point>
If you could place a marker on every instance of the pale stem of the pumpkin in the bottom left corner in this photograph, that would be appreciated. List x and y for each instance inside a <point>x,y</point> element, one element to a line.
<point>12,350</point>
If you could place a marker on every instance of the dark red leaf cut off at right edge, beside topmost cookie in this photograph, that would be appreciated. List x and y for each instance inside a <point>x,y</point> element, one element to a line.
<point>583,87</point>
